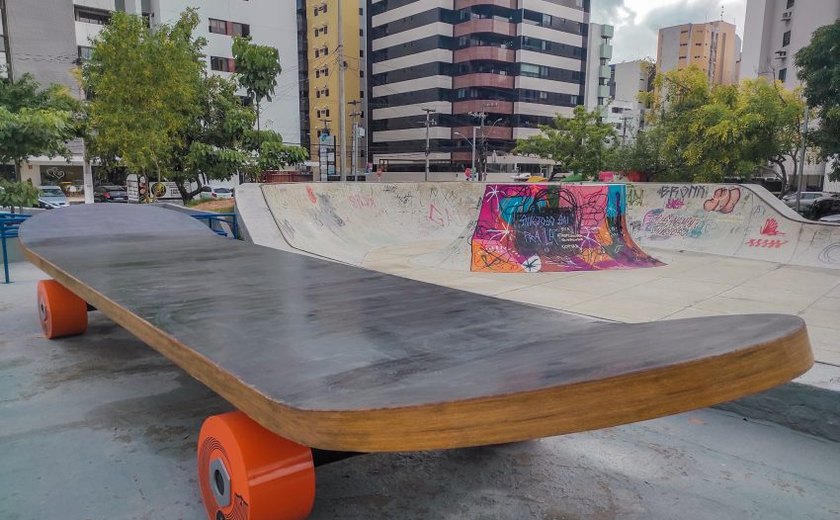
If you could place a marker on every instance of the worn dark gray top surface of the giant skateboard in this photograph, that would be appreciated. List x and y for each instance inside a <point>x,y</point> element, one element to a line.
<point>288,325</point>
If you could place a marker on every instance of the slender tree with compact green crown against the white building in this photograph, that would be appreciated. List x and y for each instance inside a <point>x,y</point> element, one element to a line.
<point>257,68</point>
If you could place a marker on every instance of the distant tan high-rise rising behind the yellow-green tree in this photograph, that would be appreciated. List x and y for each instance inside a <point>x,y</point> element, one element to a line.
<point>713,47</point>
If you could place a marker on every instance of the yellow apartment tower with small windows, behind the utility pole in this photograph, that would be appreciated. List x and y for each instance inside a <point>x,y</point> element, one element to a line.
<point>321,47</point>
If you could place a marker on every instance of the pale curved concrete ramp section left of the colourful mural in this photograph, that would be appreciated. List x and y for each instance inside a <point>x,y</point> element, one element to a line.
<point>346,221</point>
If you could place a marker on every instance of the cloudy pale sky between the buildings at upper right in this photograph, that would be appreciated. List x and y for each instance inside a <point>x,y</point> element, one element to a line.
<point>637,22</point>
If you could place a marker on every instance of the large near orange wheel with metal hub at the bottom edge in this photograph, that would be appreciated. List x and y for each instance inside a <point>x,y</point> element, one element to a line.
<point>249,473</point>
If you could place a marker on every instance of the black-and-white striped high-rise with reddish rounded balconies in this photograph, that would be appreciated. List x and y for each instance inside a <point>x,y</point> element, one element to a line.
<point>487,71</point>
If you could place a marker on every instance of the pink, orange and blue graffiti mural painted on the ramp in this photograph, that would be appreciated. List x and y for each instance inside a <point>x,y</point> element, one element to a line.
<point>533,227</point>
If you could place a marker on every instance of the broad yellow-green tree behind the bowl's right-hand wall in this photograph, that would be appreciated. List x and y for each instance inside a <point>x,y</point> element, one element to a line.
<point>707,134</point>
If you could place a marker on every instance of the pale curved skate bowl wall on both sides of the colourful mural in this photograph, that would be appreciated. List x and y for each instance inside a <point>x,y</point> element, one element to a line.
<point>435,223</point>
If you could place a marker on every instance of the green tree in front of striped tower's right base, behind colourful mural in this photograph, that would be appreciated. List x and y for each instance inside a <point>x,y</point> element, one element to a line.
<point>577,144</point>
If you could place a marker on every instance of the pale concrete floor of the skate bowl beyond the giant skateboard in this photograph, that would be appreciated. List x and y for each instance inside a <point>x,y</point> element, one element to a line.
<point>690,285</point>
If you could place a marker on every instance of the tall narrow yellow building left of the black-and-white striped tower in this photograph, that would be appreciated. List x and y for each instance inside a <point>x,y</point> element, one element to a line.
<point>325,69</point>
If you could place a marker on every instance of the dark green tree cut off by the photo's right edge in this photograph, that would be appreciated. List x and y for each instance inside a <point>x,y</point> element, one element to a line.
<point>819,69</point>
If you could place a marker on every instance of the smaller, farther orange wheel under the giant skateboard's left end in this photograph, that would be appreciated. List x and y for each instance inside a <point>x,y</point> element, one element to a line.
<point>61,312</point>
